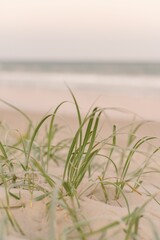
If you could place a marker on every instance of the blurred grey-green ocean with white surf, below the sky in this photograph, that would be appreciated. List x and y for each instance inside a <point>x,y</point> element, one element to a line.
<point>132,77</point>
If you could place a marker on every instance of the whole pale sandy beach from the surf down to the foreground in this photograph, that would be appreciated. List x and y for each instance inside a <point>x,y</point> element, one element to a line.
<point>141,203</point>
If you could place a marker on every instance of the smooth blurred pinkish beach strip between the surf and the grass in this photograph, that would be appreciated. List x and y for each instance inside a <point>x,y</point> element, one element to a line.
<point>30,99</point>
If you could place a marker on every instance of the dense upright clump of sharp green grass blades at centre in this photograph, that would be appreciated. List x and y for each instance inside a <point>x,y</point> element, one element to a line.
<point>81,153</point>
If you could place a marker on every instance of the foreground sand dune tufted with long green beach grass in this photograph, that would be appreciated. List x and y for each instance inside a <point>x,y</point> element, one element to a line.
<point>94,170</point>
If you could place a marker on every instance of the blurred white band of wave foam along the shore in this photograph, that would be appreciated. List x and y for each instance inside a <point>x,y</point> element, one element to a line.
<point>81,81</point>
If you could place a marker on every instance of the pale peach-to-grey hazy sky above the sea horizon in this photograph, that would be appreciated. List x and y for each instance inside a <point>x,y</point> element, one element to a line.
<point>104,30</point>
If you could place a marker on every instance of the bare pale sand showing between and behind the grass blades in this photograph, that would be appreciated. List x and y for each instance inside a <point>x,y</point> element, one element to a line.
<point>32,215</point>
